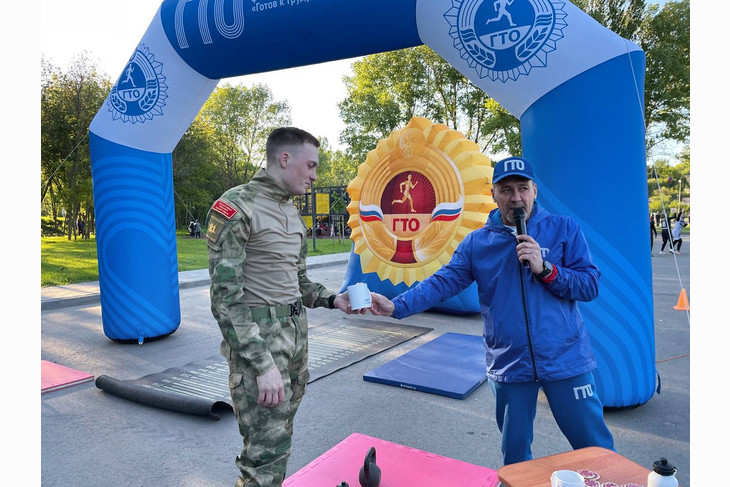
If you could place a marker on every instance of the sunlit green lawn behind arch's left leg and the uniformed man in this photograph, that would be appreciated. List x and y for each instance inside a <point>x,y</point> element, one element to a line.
<point>70,262</point>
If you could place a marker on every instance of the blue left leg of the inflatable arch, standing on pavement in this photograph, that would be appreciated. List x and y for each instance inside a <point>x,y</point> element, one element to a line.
<point>133,199</point>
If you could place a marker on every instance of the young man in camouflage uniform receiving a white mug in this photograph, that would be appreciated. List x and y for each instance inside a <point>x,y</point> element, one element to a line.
<point>257,253</point>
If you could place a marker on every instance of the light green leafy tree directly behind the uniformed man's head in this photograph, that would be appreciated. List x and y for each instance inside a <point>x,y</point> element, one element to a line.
<point>241,119</point>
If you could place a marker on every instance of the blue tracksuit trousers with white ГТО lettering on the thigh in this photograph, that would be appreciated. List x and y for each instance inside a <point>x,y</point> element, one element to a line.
<point>575,406</point>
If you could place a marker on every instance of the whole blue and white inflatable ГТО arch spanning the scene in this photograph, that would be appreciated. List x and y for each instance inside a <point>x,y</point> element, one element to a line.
<point>576,87</point>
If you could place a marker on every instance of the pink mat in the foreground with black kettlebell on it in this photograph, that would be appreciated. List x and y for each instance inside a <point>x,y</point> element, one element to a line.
<point>400,466</point>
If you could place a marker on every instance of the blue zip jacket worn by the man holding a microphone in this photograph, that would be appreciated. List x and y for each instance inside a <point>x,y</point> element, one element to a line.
<point>532,330</point>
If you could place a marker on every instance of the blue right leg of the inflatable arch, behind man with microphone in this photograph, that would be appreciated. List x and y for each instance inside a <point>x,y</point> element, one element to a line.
<point>586,139</point>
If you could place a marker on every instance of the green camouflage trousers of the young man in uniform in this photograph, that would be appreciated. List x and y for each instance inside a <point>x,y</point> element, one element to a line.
<point>267,432</point>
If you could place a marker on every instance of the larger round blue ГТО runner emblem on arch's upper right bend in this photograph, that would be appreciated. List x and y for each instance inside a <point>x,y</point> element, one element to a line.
<point>503,39</point>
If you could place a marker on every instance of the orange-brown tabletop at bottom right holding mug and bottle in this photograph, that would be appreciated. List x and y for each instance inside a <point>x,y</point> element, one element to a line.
<point>611,466</point>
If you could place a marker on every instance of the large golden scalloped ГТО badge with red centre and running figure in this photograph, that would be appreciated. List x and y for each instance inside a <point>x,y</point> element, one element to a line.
<point>416,196</point>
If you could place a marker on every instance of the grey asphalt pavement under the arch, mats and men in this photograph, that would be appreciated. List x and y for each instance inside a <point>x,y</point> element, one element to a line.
<point>92,438</point>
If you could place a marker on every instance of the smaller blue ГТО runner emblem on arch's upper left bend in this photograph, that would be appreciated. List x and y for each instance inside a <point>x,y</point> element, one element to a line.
<point>140,92</point>
